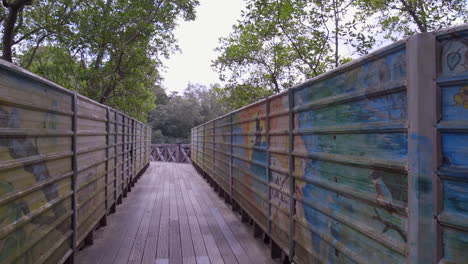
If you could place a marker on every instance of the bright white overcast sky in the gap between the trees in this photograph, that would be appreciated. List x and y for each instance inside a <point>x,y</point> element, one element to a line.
<point>197,41</point>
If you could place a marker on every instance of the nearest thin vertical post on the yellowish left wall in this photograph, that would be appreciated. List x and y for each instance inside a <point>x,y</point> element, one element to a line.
<point>75,170</point>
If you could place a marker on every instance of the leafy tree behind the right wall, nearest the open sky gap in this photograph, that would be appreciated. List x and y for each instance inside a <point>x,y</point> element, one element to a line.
<point>279,43</point>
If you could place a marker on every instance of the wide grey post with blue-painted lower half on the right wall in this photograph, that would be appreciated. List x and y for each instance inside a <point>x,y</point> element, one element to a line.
<point>422,147</point>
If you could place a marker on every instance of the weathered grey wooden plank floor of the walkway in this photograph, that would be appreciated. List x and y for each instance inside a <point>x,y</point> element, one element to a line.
<point>173,216</point>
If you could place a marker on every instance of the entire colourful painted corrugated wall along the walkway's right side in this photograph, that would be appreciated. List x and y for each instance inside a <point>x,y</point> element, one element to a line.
<point>372,160</point>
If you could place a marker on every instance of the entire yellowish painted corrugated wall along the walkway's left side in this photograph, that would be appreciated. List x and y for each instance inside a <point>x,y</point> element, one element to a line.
<point>38,205</point>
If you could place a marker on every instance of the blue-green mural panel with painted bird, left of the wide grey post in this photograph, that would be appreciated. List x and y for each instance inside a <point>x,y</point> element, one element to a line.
<point>350,203</point>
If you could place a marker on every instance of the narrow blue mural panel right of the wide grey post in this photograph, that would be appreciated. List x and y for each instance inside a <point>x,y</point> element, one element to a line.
<point>454,137</point>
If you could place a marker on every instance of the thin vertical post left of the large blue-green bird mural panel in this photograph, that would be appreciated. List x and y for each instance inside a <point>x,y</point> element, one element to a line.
<point>291,175</point>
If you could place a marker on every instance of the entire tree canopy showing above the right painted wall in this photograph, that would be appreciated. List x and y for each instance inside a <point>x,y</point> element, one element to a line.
<point>279,43</point>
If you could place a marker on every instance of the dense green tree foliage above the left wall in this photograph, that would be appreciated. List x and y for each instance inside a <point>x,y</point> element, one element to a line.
<point>108,50</point>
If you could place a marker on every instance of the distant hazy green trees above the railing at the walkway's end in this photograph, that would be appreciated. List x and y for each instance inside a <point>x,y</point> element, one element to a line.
<point>172,121</point>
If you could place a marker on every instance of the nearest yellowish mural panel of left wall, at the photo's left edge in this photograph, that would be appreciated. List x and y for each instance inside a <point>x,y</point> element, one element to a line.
<point>34,215</point>
